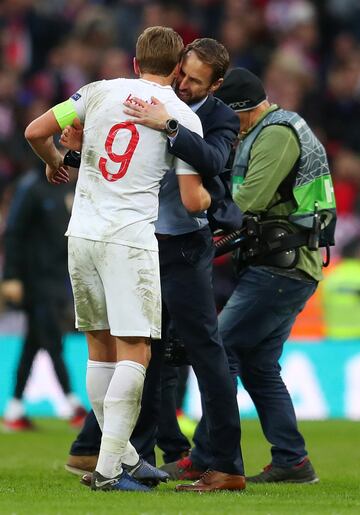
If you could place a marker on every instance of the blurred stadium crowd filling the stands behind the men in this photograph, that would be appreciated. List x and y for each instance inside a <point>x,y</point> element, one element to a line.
<point>307,52</point>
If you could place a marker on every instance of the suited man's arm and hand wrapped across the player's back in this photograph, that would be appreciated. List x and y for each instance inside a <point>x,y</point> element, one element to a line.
<point>208,155</point>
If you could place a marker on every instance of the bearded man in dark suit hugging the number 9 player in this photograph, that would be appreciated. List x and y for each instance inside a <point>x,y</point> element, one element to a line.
<point>186,255</point>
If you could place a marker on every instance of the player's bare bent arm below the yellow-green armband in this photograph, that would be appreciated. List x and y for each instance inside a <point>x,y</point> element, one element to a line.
<point>39,134</point>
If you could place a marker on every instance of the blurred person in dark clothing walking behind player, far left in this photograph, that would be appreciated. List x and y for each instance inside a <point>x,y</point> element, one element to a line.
<point>36,279</point>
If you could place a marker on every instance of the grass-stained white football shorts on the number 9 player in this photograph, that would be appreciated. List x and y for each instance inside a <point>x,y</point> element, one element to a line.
<point>115,287</point>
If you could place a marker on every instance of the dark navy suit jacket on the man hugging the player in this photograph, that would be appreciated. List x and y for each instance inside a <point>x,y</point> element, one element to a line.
<point>209,156</point>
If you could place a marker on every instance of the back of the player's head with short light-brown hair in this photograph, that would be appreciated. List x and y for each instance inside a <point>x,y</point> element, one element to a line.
<point>158,50</point>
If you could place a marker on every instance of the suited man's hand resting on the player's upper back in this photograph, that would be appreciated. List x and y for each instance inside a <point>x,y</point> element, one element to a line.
<point>152,115</point>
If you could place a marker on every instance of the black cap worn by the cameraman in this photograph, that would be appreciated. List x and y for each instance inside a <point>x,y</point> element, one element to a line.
<point>241,90</point>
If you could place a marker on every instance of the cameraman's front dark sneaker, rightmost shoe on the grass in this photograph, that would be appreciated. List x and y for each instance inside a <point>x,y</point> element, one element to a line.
<point>303,472</point>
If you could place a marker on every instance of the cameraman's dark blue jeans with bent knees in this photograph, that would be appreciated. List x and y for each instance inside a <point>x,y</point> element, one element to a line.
<point>254,325</point>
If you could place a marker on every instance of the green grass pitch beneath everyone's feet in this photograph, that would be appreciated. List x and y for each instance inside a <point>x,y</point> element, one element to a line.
<point>33,479</point>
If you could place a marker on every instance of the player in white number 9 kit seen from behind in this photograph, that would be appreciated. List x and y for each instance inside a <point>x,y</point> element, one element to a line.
<point>113,259</point>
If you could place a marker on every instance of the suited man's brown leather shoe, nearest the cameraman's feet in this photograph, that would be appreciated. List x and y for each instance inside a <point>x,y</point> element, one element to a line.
<point>213,480</point>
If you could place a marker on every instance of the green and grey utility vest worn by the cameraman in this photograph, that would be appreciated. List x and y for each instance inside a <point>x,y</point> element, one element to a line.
<point>311,186</point>
